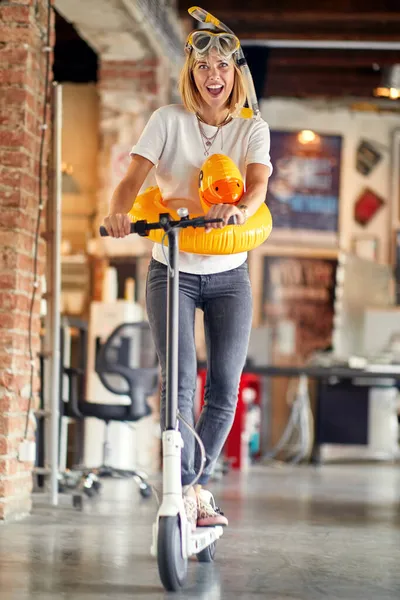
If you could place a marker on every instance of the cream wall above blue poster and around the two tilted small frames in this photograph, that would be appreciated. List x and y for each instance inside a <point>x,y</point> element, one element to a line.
<point>294,115</point>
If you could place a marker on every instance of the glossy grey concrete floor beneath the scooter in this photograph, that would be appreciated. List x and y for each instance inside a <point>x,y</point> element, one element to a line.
<point>295,533</point>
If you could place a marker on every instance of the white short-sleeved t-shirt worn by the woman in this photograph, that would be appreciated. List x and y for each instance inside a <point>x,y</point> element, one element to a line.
<point>171,140</point>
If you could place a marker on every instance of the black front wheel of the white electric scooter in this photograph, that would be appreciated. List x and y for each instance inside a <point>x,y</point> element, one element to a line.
<point>172,566</point>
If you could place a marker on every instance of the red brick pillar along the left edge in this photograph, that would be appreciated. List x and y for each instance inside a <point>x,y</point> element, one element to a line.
<point>23,34</point>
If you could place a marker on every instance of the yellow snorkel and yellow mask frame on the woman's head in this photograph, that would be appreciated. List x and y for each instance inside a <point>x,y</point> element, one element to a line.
<point>253,110</point>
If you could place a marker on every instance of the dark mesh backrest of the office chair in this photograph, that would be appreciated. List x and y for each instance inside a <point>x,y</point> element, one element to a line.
<point>127,365</point>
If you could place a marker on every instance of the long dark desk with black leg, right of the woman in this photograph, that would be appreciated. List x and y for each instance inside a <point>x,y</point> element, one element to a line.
<point>322,374</point>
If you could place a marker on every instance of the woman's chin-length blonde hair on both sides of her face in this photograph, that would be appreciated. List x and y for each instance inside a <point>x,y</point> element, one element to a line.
<point>191,97</point>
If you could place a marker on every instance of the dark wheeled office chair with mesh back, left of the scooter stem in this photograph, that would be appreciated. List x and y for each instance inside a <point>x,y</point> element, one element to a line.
<point>127,365</point>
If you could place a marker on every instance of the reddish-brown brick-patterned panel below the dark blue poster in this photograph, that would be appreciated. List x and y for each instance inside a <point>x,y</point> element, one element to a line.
<point>300,291</point>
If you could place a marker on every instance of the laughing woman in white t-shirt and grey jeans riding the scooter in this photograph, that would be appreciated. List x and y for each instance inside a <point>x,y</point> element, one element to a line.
<point>177,140</point>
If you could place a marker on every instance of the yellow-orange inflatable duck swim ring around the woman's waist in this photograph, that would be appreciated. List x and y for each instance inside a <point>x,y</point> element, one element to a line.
<point>220,181</point>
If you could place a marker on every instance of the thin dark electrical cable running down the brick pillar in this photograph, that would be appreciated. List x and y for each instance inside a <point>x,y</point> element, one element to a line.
<point>47,50</point>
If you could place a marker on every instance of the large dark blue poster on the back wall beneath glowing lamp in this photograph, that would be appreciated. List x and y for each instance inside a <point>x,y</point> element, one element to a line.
<point>303,192</point>
